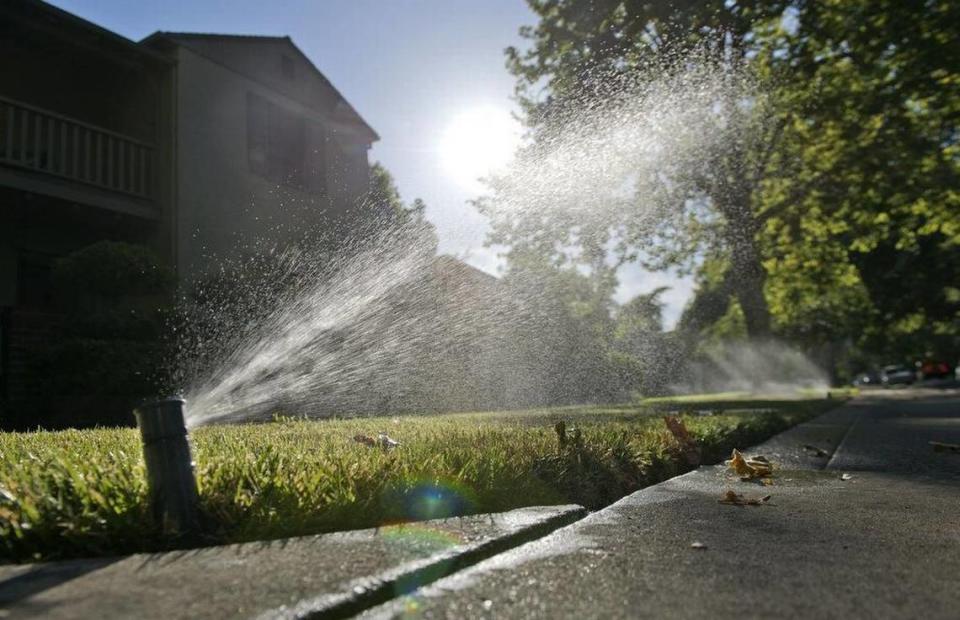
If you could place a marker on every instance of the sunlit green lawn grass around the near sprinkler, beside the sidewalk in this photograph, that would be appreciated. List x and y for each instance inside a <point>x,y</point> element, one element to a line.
<point>83,493</point>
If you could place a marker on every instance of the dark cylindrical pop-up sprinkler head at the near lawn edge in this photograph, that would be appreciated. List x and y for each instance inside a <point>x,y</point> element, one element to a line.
<point>166,451</point>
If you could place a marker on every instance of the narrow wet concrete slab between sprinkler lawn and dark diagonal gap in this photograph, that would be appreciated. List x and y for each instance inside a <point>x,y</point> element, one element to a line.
<point>333,575</point>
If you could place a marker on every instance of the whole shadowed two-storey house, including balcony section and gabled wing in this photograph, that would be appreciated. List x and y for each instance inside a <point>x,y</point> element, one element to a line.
<point>196,145</point>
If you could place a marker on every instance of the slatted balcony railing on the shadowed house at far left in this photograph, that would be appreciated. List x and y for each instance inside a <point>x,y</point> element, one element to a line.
<point>47,142</point>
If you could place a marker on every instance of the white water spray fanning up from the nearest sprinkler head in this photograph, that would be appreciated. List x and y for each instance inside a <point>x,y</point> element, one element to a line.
<point>372,326</point>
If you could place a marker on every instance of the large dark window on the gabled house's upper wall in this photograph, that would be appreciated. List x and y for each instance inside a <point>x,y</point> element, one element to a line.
<point>275,141</point>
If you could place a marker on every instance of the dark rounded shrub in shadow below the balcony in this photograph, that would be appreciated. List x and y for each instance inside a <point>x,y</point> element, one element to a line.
<point>109,351</point>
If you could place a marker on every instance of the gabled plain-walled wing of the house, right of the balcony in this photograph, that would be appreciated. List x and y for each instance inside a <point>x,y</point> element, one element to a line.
<point>267,148</point>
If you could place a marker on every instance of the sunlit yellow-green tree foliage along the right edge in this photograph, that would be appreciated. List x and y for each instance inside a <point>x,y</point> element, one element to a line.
<point>862,236</point>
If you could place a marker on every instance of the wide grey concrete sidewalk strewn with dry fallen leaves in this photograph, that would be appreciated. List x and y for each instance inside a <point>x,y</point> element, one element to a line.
<point>883,542</point>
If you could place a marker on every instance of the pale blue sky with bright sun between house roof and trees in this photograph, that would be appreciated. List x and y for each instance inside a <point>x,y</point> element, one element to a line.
<point>426,74</point>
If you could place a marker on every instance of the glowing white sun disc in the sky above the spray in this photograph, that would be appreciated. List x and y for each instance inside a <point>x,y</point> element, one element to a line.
<point>478,142</point>
